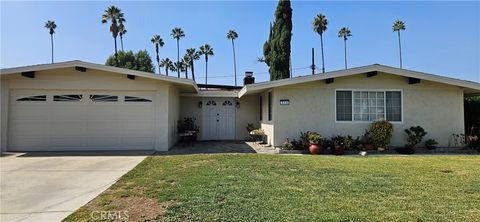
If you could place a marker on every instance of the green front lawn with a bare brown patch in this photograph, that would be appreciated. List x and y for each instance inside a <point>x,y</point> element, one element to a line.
<point>254,187</point>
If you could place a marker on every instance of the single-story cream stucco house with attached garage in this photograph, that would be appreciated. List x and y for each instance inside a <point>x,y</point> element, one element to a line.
<point>83,106</point>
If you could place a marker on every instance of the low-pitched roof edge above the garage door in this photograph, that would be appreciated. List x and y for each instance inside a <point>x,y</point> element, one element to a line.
<point>177,81</point>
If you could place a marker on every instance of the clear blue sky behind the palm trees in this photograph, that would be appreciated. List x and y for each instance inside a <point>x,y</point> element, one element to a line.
<point>441,37</point>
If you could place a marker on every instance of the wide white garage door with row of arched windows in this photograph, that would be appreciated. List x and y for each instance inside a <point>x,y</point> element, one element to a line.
<point>59,120</point>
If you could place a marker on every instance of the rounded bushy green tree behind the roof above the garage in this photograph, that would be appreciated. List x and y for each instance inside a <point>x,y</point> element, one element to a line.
<point>139,61</point>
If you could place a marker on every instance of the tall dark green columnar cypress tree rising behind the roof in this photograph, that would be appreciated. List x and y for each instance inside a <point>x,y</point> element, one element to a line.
<point>276,49</point>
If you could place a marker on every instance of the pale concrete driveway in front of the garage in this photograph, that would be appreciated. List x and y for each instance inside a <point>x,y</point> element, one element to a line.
<point>50,186</point>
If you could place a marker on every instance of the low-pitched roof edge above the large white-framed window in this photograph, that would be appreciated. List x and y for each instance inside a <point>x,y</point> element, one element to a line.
<point>471,88</point>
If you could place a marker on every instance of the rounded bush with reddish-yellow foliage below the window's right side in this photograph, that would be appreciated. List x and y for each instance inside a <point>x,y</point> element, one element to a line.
<point>381,132</point>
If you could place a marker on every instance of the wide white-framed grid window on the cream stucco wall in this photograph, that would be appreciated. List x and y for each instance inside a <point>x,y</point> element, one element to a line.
<point>368,105</point>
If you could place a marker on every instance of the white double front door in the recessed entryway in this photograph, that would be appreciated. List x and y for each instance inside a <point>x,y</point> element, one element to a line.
<point>218,119</point>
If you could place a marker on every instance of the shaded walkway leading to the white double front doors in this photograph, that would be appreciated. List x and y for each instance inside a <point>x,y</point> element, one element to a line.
<point>212,147</point>
